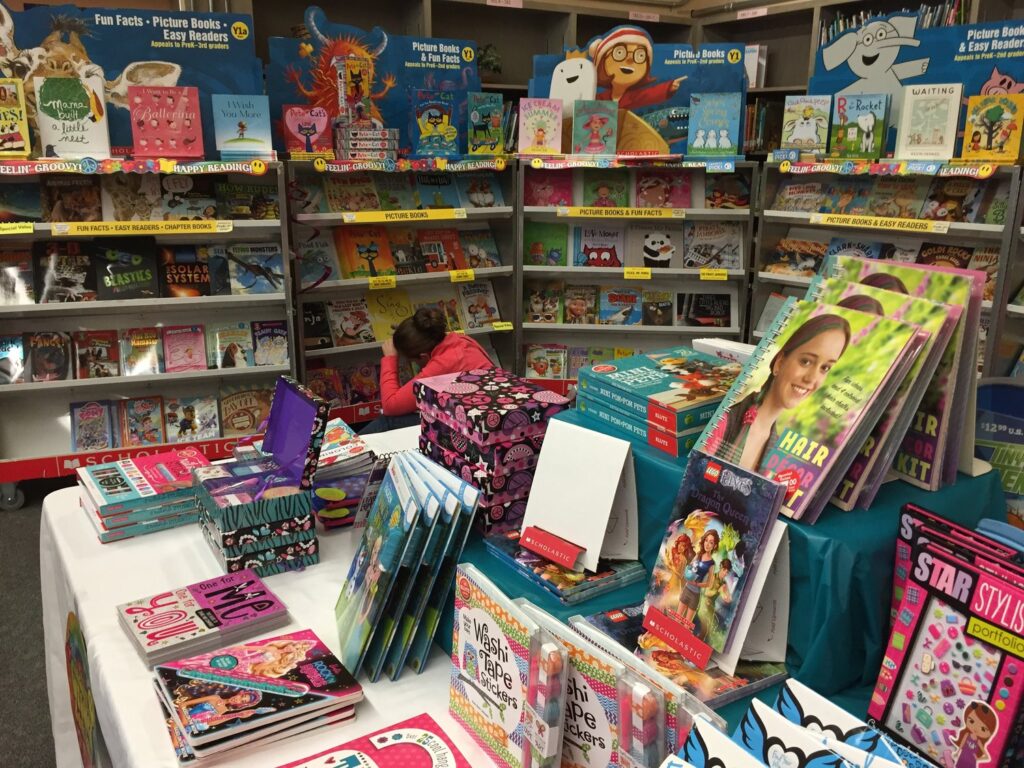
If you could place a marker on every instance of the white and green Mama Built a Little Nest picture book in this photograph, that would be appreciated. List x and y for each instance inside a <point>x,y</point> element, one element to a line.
<point>71,117</point>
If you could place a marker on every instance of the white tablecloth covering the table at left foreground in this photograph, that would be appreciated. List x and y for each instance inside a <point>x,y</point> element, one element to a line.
<point>82,576</point>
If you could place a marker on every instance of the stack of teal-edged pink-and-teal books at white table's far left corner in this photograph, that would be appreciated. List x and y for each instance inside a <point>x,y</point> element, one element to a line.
<point>140,496</point>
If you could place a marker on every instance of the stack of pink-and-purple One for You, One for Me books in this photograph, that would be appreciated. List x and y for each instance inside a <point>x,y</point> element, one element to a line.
<point>201,617</point>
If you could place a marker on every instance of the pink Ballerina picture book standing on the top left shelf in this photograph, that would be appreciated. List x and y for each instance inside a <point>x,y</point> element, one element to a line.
<point>165,122</point>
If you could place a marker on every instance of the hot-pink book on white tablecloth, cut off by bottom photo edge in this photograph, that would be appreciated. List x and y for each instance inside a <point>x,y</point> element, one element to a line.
<point>416,743</point>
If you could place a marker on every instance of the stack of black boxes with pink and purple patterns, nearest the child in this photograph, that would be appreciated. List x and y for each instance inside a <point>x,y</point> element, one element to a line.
<point>488,428</point>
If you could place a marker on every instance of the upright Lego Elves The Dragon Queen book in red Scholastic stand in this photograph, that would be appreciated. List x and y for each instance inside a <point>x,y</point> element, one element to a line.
<point>710,556</point>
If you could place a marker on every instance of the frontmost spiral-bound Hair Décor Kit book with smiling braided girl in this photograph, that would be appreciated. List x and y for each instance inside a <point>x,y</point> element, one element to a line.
<point>815,389</point>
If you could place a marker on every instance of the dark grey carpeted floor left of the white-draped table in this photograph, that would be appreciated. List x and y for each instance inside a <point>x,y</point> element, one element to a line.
<point>26,741</point>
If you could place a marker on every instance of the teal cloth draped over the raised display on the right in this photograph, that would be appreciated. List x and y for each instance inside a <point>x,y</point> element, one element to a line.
<point>841,573</point>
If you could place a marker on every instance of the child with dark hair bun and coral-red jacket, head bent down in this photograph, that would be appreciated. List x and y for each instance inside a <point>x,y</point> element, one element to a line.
<point>424,339</point>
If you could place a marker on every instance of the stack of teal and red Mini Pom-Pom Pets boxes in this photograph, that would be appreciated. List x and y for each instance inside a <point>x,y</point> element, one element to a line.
<point>664,399</point>
